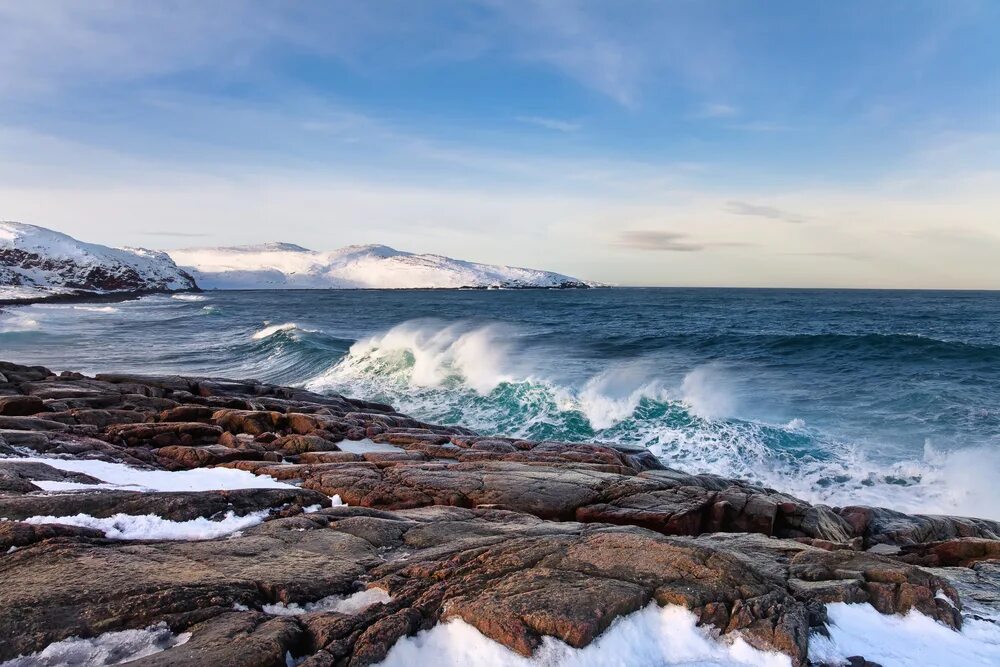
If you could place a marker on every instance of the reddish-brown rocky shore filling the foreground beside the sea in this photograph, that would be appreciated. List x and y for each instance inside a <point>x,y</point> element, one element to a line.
<point>520,539</point>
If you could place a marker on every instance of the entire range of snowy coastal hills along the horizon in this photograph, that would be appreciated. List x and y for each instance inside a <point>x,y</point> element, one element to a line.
<point>37,263</point>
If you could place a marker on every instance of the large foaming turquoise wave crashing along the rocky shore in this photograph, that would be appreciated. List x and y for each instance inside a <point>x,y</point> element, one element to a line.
<point>483,377</point>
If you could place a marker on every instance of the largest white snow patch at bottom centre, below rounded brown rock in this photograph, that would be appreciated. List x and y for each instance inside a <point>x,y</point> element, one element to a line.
<point>651,637</point>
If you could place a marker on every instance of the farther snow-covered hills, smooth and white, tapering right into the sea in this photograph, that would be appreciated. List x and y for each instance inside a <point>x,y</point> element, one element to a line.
<point>288,266</point>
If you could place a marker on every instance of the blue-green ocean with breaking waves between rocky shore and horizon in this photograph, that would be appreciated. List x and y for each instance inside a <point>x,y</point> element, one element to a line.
<point>877,397</point>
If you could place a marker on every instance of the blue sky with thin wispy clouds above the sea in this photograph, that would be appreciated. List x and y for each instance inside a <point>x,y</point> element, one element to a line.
<point>714,143</point>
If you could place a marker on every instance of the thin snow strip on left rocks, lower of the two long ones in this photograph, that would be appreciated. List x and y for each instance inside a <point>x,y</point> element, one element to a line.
<point>152,527</point>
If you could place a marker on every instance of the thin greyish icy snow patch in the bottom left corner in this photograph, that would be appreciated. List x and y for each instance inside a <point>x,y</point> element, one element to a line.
<point>110,648</point>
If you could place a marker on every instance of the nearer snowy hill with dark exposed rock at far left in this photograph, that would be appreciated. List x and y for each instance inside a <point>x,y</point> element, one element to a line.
<point>38,263</point>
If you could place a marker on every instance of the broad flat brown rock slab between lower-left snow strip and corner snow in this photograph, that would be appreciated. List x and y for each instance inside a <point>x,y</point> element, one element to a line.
<point>61,588</point>
